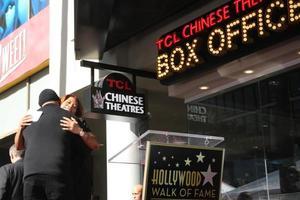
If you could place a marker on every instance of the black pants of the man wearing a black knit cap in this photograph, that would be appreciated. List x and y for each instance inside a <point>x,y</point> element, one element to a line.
<point>45,187</point>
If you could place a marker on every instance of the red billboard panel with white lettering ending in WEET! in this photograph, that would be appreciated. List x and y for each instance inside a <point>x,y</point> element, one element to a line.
<point>24,51</point>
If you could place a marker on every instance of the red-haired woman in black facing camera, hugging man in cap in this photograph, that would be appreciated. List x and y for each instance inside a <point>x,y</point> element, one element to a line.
<point>82,159</point>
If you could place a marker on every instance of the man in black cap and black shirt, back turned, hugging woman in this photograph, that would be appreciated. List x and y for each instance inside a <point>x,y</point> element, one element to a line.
<point>48,150</point>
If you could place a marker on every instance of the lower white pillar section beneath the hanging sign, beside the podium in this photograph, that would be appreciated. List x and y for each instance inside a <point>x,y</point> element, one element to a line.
<point>123,171</point>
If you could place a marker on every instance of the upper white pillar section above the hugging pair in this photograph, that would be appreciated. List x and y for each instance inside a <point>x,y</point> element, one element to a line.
<point>66,74</point>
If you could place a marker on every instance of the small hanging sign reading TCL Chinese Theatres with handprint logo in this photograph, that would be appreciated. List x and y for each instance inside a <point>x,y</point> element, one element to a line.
<point>115,95</point>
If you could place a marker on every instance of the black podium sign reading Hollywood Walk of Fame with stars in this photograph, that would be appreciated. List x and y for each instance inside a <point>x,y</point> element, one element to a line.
<point>182,172</point>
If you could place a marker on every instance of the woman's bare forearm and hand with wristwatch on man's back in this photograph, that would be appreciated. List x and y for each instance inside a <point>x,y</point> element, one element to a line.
<point>87,137</point>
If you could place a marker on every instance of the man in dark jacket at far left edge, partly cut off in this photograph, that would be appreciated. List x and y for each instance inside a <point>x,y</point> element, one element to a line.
<point>11,176</point>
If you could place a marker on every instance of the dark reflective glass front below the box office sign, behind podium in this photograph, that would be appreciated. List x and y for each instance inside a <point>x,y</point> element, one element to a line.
<point>260,125</point>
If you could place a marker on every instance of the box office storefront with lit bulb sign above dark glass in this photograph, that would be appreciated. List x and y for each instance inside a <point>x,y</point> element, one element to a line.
<point>242,91</point>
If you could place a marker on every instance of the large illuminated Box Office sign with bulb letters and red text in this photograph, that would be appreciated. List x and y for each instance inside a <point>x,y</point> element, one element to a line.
<point>232,30</point>
